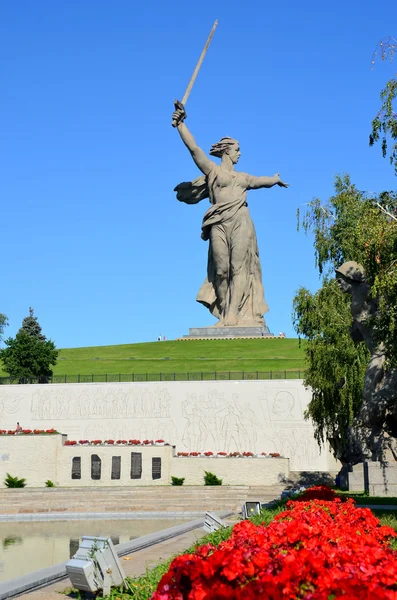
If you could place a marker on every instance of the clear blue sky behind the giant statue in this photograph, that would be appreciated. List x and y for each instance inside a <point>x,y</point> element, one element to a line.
<point>92,236</point>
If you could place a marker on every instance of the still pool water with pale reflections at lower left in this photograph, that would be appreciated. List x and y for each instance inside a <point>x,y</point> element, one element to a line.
<point>27,547</point>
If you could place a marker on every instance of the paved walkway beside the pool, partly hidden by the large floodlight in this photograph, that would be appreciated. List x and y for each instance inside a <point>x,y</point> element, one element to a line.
<point>133,564</point>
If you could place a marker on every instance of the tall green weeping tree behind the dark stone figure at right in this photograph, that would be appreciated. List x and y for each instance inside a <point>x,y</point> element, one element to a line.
<point>350,226</point>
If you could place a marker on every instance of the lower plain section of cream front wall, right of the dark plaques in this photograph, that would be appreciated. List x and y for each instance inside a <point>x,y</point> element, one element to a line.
<point>232,471</point>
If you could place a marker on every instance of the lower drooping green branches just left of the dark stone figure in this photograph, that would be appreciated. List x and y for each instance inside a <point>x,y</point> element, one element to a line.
<point>336,366</point>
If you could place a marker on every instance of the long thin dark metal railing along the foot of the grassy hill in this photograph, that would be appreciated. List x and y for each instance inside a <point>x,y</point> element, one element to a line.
<point>141,377</point>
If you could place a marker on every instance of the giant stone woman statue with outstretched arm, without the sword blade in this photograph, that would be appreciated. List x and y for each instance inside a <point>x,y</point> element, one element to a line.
<point>233,290</point>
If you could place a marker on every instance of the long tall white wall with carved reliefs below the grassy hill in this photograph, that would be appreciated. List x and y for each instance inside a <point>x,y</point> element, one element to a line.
<point>257,416</point>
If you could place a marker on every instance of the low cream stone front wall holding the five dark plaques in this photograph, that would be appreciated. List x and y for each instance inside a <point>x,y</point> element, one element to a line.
<point>42,457</point>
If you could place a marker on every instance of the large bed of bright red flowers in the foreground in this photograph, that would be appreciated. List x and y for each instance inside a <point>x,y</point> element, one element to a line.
<point>319,548</point>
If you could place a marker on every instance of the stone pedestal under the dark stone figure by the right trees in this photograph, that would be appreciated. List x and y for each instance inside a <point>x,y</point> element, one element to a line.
<point>375,478</point>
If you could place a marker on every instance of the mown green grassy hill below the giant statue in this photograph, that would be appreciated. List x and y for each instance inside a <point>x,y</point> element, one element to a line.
<point>183,356</point>
